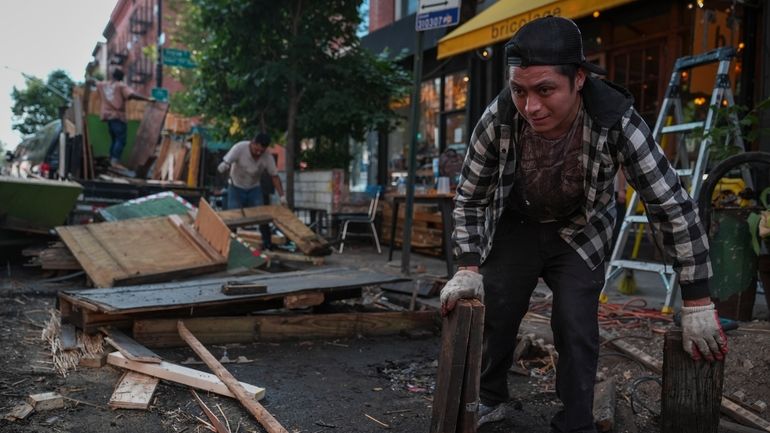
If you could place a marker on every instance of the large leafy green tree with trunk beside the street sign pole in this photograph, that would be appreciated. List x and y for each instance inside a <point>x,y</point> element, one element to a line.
<point>294,66</point>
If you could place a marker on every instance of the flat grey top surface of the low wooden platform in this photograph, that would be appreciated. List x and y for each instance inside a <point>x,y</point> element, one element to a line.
<point>157,297</point>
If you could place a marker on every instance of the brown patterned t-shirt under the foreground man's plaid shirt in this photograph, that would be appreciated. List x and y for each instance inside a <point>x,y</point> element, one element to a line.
<point>548,183</point>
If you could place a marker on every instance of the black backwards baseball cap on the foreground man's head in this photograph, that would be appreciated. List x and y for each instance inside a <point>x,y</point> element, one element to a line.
<point>549,41</point>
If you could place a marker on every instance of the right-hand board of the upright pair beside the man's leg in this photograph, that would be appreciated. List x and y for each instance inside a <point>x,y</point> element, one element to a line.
<point>468,410</point>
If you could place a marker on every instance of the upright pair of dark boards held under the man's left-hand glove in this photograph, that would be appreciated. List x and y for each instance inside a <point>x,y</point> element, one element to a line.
<point>456,399</point>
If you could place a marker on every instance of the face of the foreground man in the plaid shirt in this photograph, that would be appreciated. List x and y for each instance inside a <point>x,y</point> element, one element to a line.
<point>545,98</point>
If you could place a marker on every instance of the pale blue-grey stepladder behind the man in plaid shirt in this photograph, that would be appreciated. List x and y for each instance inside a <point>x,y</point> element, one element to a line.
<point>691,174</point>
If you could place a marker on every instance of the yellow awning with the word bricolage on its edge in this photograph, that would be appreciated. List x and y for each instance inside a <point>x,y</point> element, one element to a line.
<point>500,21</point>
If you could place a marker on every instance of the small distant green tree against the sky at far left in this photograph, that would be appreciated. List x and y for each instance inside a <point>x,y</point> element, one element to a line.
<point>39,103</point>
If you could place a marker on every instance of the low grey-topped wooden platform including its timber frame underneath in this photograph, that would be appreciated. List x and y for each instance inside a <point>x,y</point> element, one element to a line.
<point>121,306</point>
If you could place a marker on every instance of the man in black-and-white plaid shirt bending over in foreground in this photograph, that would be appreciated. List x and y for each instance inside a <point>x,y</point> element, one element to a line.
<point>536,199</point>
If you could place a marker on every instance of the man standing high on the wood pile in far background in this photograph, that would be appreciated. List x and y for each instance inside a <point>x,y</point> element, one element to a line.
<point>114,94</point>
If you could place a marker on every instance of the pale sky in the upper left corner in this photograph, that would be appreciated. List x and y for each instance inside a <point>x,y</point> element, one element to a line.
<point>39,36</point>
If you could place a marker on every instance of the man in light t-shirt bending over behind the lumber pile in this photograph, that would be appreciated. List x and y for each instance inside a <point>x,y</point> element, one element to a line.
<point>247,161</point>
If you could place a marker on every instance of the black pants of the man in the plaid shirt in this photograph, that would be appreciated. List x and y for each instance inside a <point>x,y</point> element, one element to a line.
<point>522,252</point>
